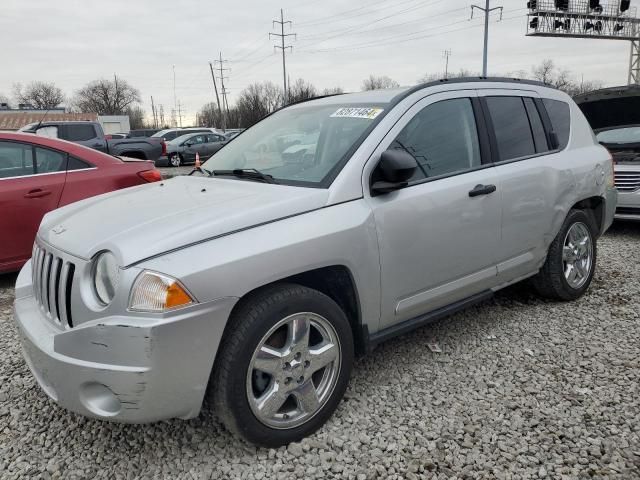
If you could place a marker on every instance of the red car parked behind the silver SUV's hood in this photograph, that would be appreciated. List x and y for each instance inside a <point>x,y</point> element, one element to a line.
<point>39,174</point>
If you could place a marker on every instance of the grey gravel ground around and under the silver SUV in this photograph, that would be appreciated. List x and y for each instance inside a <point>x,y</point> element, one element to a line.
<point>523,389</point>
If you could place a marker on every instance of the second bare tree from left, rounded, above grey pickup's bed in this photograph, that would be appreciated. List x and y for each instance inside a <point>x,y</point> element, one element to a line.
<point>106,97</point>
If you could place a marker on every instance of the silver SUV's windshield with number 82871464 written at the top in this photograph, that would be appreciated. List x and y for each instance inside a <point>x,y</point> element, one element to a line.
<point>302,145</point>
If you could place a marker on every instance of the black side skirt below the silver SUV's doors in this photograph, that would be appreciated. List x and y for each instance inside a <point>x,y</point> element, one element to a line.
<point>372,340</point>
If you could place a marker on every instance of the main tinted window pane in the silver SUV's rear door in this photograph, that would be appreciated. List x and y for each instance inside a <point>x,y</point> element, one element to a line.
<point>511,126</point>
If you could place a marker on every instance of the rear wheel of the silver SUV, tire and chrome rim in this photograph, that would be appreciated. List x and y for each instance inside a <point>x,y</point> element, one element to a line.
<point>571,260</point>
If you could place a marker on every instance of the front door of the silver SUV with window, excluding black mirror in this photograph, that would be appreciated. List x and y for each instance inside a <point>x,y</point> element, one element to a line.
<point>437,241</point>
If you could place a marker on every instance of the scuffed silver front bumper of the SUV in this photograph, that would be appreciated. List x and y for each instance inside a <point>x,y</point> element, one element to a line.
<point>131,369</point>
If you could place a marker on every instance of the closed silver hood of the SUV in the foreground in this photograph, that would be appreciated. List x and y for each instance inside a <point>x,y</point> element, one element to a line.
<point>141,222</point>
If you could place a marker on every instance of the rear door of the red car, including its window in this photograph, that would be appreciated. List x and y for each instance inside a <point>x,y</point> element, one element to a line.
<point>28,190</point>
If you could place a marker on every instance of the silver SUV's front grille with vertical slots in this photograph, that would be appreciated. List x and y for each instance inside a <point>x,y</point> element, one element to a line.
<point>52,281</point>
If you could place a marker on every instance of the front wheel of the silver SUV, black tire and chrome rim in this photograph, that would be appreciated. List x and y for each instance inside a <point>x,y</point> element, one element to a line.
<point>283,366</point>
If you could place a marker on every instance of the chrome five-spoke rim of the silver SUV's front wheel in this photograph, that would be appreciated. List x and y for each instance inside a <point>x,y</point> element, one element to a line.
<point>294,370</point>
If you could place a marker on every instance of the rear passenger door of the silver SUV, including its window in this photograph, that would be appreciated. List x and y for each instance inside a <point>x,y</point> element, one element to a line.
<point>530,177</point>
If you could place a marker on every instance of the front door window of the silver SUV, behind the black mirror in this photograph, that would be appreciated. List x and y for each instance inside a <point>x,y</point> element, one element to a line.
<point>443,139</point>
